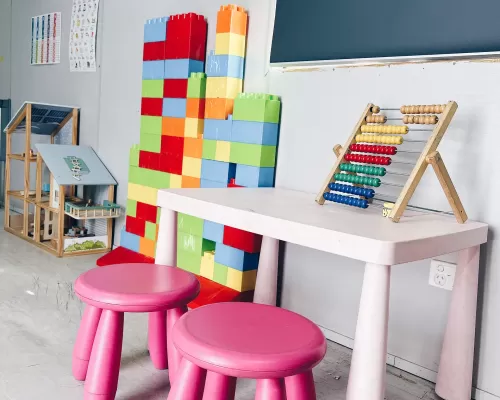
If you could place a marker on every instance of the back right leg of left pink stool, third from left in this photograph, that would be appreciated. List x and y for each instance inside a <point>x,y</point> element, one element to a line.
<point>157,339</point>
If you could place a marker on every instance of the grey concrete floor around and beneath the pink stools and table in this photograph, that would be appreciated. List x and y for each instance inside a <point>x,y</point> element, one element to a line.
<point>39,316</point>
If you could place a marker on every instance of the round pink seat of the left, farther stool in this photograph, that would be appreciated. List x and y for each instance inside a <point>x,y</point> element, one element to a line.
<point>137,287</point>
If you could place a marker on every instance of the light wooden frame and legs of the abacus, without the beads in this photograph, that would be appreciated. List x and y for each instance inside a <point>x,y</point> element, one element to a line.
<point>428,156</point>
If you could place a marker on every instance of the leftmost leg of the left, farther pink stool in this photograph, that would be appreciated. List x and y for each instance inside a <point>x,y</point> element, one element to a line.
<point>85,341</point>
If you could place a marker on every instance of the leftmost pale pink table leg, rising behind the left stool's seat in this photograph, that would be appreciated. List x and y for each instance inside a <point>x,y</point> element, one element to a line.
<point>166,247</point>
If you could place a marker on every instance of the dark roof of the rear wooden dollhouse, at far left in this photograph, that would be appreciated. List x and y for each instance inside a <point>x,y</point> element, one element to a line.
<point>45,118</point>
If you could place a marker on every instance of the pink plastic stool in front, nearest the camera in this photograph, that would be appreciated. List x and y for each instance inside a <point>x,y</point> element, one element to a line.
<point>225,341</point>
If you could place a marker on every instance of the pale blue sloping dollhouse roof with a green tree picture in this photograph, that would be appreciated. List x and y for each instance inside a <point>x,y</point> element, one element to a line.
<point>75,165</point>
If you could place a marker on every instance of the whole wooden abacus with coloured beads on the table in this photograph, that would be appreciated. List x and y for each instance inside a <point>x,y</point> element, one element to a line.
<point>372,129</point>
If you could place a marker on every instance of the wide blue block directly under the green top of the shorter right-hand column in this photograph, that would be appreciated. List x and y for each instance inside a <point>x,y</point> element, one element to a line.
<point>251,132</point>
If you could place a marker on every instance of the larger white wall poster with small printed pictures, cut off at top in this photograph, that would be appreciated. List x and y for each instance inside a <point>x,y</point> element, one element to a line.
<point>82,42</point>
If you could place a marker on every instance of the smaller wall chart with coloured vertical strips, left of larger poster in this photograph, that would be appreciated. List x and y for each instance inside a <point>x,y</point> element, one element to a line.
<point>46,39</point>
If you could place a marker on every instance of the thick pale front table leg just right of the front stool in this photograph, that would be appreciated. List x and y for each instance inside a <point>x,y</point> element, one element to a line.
<point>368,369</point>
